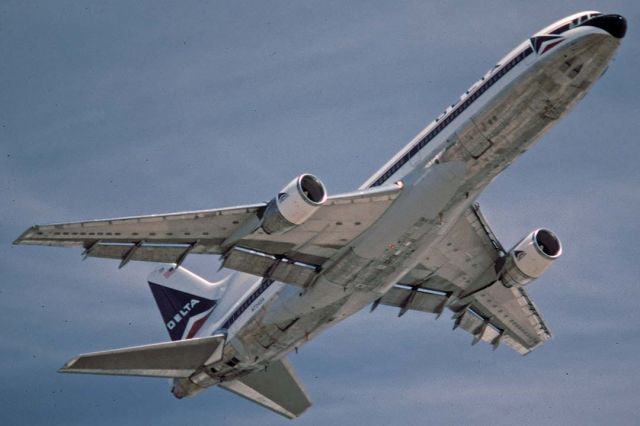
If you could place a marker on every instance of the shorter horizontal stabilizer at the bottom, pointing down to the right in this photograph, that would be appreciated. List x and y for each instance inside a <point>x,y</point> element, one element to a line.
<point>276,388</point>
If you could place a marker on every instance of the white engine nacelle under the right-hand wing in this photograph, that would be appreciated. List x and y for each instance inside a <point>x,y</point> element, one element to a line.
<point>530,258</point>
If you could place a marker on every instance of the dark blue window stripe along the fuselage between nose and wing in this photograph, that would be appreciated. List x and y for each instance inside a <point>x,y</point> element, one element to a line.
<point>444,122</point>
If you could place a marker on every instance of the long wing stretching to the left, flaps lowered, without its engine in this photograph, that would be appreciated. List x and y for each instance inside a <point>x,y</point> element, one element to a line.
<point>169,238</point>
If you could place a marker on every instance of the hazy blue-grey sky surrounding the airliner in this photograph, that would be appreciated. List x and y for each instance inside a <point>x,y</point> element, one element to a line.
<point>124,108</point>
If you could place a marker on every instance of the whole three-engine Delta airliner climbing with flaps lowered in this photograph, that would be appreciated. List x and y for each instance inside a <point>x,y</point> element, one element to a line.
<point>411,237</point>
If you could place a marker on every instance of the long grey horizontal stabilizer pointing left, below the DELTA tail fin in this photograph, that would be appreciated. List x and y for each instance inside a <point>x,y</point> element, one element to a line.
<point>170,359</point>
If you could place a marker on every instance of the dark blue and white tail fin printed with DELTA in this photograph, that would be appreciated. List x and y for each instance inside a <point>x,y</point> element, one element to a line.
<point>184,311</point>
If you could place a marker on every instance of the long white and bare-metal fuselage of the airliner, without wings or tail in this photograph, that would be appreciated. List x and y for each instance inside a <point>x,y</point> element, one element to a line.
<point>442,170</point>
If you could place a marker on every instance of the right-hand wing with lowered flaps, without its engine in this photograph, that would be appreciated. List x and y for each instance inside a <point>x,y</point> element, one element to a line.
<point>461,276</point>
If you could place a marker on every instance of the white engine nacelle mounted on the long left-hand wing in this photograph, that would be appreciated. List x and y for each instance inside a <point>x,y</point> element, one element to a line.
<point>294,204</point>
